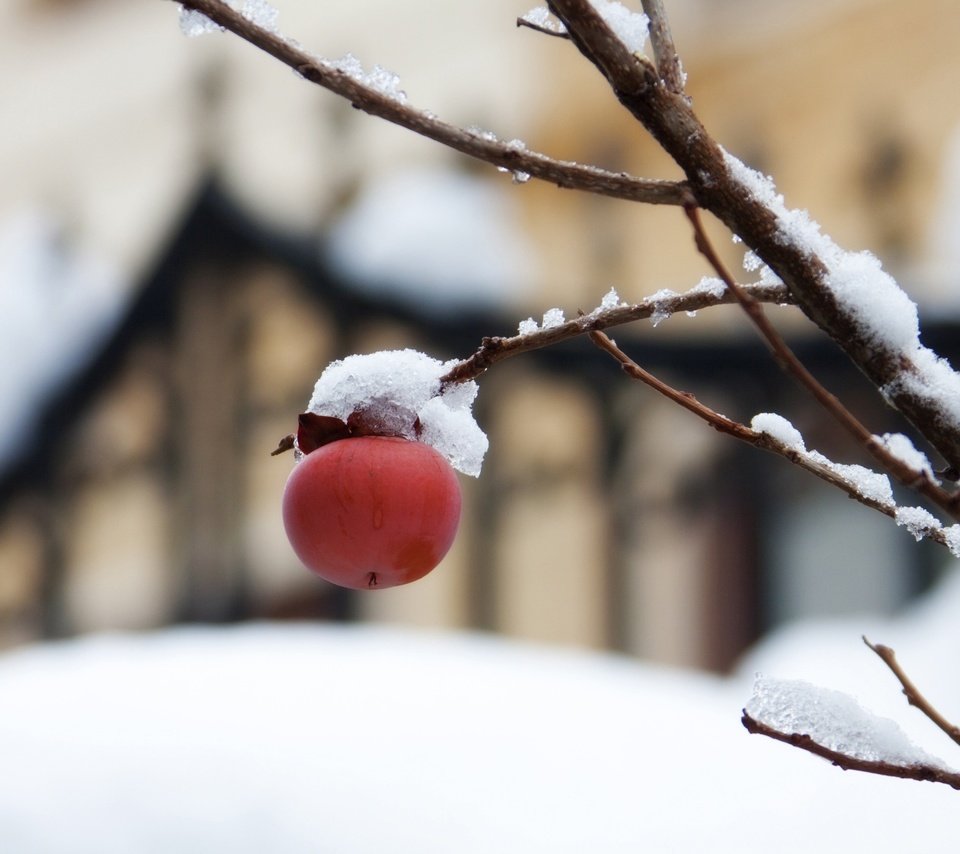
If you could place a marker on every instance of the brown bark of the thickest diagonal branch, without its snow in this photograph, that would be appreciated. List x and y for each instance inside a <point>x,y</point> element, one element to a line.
<point>718,184</point>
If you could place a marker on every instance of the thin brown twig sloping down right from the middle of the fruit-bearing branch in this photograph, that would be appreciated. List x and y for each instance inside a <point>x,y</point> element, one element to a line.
<point>752,437</point>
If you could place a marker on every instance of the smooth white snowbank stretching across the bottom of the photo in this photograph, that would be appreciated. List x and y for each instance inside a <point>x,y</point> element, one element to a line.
<point>283,739</point>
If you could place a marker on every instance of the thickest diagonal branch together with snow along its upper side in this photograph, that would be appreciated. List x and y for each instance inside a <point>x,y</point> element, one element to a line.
<point>911,377</point>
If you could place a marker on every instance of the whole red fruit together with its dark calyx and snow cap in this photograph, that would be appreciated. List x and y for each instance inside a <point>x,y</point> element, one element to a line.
<point>373,500</point>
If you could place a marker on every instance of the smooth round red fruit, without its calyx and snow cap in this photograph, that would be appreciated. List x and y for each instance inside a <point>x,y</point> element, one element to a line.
<point>371,511</point>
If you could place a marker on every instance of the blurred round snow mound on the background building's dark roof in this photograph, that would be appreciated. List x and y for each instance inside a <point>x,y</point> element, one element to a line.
<point>440,240</point>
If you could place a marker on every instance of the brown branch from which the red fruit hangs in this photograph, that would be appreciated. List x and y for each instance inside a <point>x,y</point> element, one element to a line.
<point>495,349</point>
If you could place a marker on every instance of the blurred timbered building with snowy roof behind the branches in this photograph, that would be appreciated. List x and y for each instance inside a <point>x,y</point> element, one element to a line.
<point>189,233</point>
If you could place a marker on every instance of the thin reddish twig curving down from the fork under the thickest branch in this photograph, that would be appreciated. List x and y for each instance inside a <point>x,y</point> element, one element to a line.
<point>908,476</point>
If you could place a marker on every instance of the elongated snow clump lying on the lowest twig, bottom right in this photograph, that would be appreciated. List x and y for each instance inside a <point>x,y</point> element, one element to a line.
<point>833,720</point>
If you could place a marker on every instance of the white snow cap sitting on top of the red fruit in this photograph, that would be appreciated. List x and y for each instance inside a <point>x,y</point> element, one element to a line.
<point>401,390</point>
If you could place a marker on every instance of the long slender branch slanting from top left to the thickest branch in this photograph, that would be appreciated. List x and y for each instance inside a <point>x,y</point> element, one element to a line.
<point>476,144</point>
